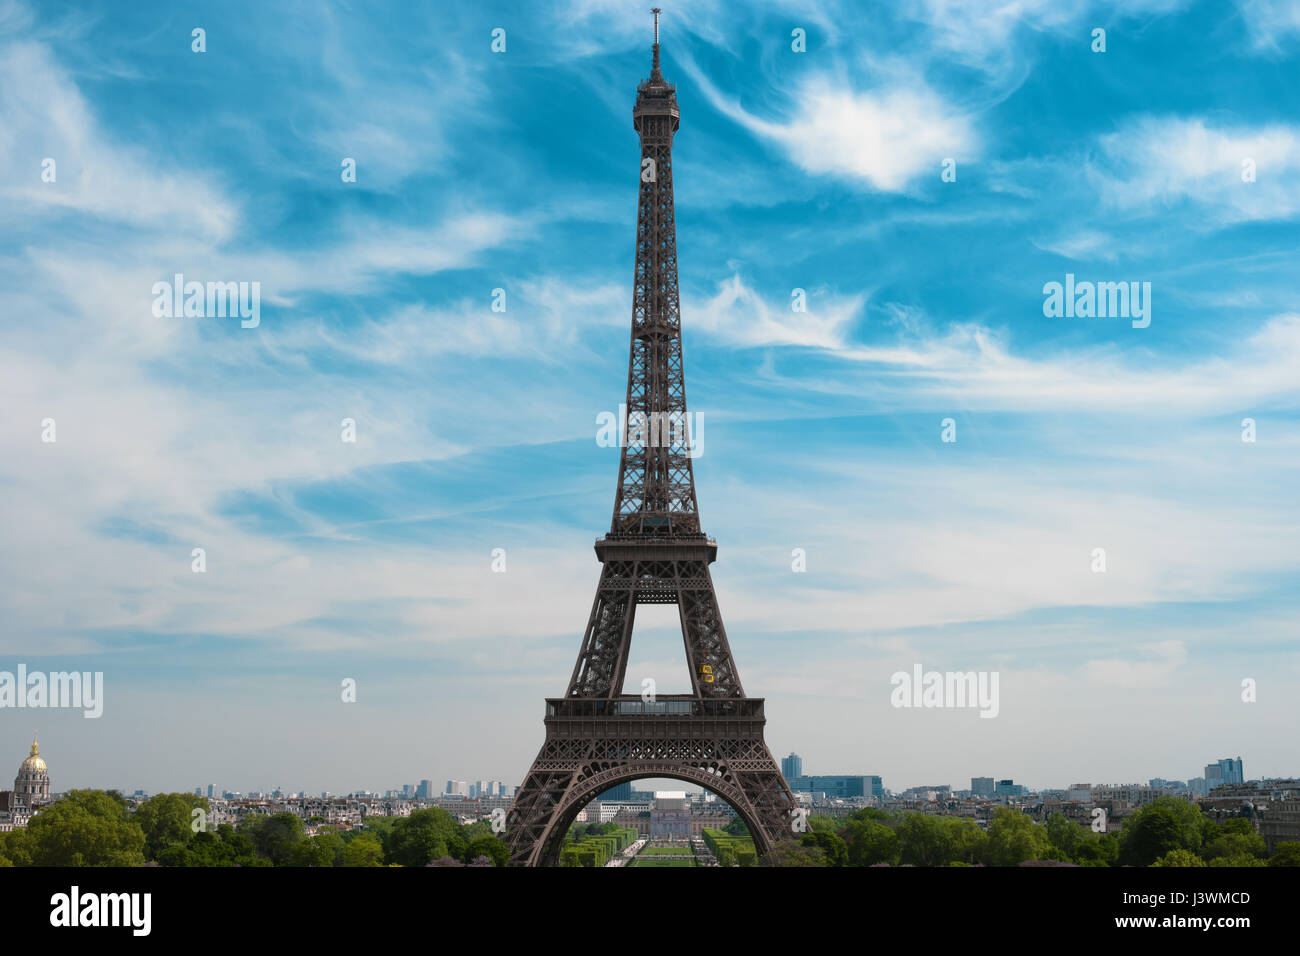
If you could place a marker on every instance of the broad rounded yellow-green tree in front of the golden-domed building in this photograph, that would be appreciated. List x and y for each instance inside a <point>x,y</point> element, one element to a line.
<point>86,828</point>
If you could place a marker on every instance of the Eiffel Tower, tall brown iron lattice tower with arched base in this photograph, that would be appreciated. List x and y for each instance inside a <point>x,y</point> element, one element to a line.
<point>655,553</point>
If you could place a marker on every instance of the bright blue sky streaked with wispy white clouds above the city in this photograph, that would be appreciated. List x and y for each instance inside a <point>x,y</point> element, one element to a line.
<point>816,171</point>
